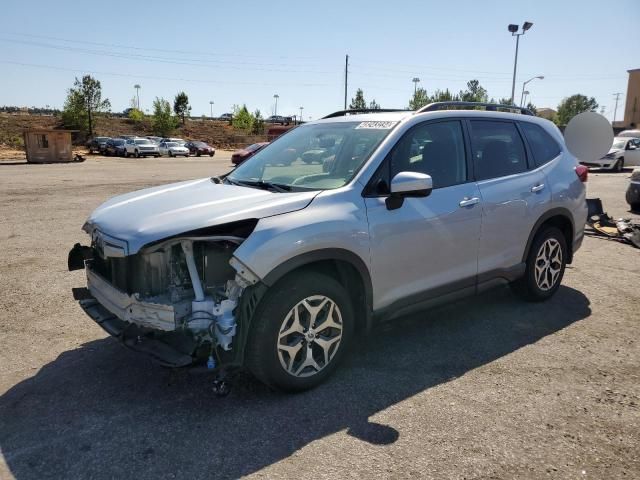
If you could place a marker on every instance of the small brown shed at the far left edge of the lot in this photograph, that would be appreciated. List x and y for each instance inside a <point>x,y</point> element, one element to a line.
<point>45,145</point>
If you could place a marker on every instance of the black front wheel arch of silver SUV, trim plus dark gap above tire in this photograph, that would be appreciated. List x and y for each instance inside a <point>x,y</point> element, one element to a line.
<point>347,267</point>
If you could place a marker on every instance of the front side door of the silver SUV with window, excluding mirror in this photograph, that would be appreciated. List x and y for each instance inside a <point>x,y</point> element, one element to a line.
<point>428,246</point>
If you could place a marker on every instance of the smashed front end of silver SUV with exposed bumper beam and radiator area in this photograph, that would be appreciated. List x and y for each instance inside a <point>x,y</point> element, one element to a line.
<point>183,301</point>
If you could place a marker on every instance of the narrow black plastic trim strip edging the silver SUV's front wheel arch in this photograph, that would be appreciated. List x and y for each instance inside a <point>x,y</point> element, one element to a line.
<point>327,254</point>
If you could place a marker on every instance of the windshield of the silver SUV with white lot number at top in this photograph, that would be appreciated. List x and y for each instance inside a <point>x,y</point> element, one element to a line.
<point>314,157</point>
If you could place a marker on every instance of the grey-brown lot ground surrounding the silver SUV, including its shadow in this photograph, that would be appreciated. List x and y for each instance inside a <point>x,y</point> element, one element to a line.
<point>484,388</point>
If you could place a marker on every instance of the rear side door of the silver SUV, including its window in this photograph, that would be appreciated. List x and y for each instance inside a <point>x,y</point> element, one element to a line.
<point>513,190</point>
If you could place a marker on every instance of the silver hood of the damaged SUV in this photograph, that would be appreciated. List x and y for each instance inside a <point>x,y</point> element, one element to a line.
<point>153,214</point>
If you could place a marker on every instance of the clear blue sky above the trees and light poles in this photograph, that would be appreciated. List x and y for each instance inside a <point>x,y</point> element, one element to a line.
<point>247,51</point>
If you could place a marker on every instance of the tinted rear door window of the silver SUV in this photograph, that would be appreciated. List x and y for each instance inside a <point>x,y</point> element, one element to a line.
<point>498,149</point>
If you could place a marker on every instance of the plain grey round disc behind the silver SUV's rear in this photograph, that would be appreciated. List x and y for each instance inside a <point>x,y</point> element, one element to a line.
<point>588,136</point>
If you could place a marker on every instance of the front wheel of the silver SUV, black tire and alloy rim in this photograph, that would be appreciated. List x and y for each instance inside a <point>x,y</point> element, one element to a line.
<point>301,330</point>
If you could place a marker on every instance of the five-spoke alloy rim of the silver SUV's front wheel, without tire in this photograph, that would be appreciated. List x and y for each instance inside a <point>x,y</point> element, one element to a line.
<point>310,336</point>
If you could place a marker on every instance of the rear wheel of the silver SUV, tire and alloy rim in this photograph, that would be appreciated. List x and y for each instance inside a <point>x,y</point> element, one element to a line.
<point>545,266</point>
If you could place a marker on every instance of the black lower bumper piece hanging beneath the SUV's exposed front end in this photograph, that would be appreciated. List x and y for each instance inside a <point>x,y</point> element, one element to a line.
<point>170,351</point>
